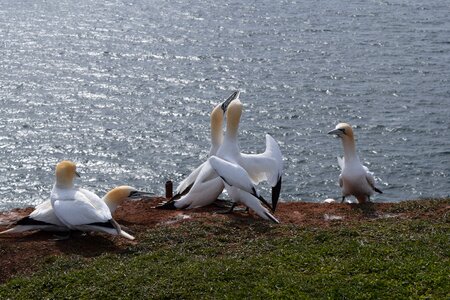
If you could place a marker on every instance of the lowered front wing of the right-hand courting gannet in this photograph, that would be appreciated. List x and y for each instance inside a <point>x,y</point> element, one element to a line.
<point>240,187</point>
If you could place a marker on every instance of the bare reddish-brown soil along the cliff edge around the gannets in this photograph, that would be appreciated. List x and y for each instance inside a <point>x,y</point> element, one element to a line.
<point>22,253</point>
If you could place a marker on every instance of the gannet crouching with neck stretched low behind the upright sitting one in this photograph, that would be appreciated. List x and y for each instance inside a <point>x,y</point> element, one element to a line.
<point>44,218</point>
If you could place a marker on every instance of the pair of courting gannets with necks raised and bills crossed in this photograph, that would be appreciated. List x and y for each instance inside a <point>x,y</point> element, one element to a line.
<point>228,168</point>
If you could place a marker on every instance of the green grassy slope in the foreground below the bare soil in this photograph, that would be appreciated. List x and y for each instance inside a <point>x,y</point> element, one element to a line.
<point>389,258</point>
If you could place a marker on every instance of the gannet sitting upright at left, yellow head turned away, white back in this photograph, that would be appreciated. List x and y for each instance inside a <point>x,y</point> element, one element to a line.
<point>79,209</point>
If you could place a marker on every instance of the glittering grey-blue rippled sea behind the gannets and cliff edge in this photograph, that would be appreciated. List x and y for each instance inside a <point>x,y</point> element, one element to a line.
<point>125,90</point>
